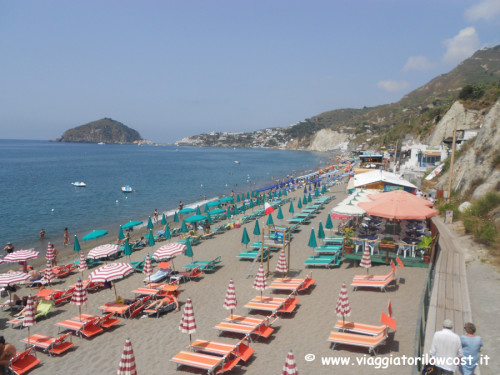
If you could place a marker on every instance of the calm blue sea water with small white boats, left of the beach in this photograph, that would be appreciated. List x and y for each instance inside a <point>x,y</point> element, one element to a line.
<point>36,190</point>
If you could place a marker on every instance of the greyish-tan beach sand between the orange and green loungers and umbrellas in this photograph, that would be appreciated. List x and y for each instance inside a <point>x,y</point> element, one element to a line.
<point>156,341</point>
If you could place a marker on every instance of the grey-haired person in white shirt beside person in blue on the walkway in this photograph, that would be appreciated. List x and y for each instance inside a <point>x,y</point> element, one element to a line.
<point>445,349</point>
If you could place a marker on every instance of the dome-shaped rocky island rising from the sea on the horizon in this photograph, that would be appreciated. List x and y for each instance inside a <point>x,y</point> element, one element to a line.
<point>105,130</point>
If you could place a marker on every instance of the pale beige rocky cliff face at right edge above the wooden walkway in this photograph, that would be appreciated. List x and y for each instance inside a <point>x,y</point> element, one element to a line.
<point>475,169</point>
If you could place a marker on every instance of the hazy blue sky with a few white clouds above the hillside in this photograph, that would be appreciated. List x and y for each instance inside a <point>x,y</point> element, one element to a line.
<point>171,69</point>
